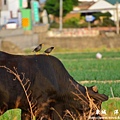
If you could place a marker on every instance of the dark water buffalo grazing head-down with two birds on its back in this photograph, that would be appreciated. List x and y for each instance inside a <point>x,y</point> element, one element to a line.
<point>52,92</point>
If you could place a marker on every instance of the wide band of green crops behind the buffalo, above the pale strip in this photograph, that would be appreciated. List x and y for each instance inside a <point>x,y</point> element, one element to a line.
<point>85,66</point>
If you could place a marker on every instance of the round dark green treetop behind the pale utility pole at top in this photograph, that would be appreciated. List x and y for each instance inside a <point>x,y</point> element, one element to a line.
<point>52,7</point>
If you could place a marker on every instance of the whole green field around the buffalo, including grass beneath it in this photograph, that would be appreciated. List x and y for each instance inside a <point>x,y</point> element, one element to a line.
<point>104,73</point>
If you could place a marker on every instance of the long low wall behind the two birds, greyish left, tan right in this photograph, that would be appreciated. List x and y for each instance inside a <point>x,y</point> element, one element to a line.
<point>30,39</point>
